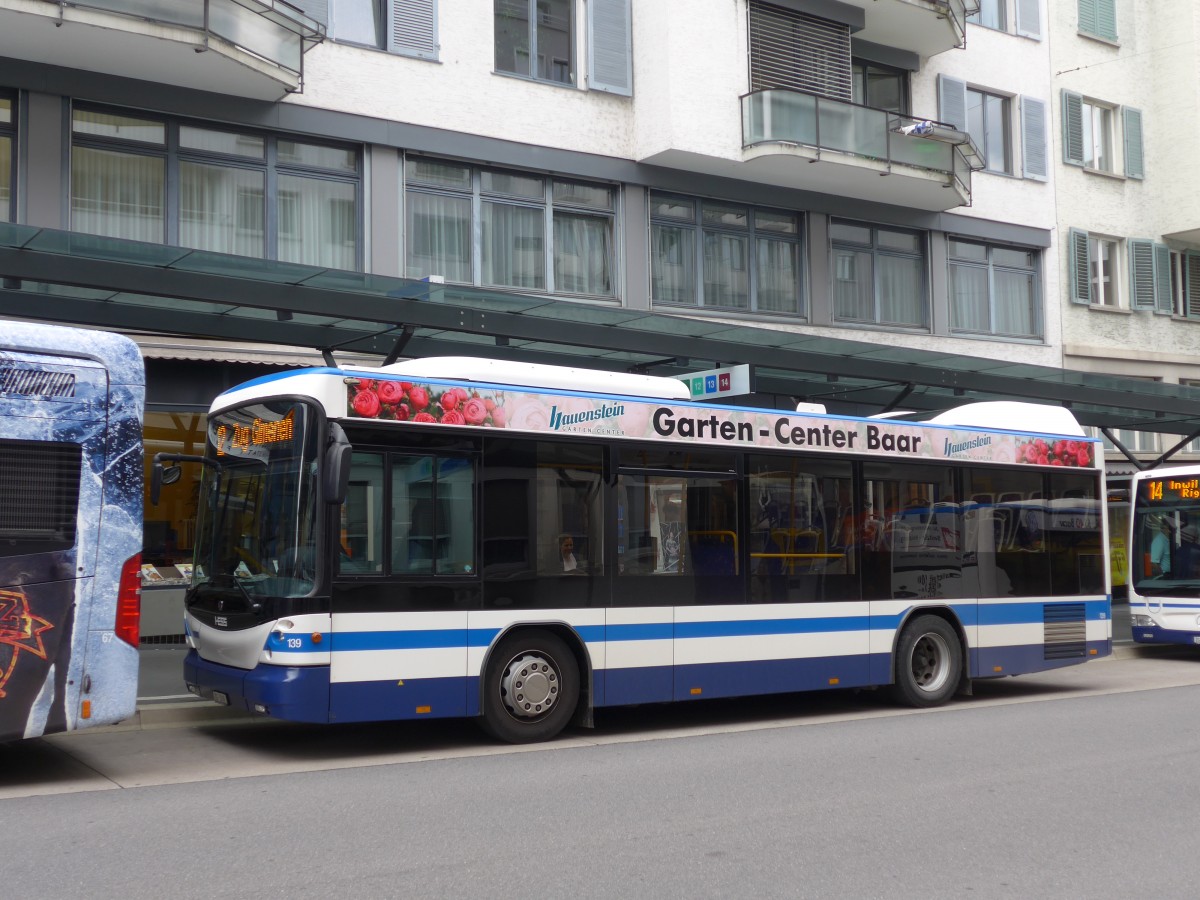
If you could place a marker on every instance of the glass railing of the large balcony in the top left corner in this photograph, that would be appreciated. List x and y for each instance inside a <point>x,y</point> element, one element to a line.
<point>272,31</point>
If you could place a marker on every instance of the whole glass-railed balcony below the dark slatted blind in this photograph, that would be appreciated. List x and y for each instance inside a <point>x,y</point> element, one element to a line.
<point>814,143</point>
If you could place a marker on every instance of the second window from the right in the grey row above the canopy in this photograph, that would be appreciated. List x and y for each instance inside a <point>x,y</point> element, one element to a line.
<point>879,275</point>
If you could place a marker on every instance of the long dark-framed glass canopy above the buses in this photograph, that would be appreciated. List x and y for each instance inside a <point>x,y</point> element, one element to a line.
<point>152,289</point>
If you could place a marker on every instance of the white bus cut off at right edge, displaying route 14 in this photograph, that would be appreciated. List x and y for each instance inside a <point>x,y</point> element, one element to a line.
<point>1165,579</point>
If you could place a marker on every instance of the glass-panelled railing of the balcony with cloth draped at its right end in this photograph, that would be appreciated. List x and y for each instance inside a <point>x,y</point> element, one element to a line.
<point>785,117</point>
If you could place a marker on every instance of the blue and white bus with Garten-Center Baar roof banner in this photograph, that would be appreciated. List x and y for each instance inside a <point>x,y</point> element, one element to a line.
<point>526,544</point>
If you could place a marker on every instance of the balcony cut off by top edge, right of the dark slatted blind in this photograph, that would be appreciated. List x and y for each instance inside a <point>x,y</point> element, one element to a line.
<point>922,27</point>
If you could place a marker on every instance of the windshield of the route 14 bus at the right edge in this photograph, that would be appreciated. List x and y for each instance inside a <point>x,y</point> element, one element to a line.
<point>1166,532</point>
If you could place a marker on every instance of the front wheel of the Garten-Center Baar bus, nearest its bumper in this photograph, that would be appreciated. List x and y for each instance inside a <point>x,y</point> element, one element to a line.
<point>531,688</point>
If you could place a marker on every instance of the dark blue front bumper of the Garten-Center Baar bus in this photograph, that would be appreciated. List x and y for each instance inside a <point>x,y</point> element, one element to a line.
<point>298,694</point>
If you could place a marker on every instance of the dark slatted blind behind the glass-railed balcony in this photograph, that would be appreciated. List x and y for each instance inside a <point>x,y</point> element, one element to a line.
<point>790,50</point>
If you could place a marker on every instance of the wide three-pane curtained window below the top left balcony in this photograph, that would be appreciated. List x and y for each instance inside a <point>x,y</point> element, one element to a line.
<point>164,182</point>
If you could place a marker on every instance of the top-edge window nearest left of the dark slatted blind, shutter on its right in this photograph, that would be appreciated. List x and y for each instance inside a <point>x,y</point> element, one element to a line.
<point>536,39</point>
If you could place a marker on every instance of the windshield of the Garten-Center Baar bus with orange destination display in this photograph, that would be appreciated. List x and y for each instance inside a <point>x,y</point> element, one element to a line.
<point>256,520</point>
